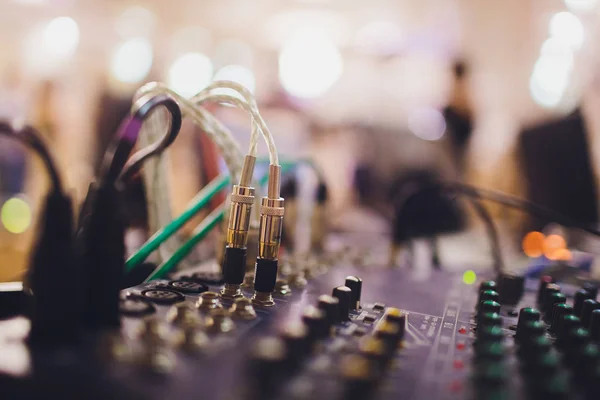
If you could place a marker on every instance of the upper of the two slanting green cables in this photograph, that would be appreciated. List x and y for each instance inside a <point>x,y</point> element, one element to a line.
<point>195,205</point>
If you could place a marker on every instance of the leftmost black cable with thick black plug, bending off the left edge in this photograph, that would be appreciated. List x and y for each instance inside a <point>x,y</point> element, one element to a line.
<point>51,280</point>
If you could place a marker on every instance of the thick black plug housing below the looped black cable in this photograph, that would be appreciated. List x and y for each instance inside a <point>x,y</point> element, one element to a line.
<point>101,255</point>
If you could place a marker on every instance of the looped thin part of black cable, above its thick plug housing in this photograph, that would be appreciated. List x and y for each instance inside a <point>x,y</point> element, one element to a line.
<point>116,163</point>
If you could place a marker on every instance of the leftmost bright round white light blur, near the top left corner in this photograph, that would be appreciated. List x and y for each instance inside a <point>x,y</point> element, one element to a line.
<point>60,37</point>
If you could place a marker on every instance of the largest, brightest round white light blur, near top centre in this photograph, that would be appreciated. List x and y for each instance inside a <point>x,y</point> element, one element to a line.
<point>309,64</point>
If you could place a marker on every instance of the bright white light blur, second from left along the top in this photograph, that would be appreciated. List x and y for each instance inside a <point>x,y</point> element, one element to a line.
<point>132,60</point>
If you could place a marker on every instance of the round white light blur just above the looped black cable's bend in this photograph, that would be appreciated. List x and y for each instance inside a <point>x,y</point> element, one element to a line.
<point>190,73</point>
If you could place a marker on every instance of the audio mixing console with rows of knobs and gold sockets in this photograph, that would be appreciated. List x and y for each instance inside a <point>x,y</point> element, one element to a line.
<point>351,333</point>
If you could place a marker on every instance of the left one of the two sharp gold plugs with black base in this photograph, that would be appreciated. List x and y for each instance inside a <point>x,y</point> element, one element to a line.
<point>240,211</point>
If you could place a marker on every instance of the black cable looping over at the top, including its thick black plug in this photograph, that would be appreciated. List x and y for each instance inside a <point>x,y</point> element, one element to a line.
<point>101,235</point>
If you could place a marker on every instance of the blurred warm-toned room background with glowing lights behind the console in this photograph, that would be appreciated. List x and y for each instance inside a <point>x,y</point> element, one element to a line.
<point>501,94</point>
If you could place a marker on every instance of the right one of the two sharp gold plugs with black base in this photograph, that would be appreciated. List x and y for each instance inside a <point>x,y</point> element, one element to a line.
<point>269,239</point>
